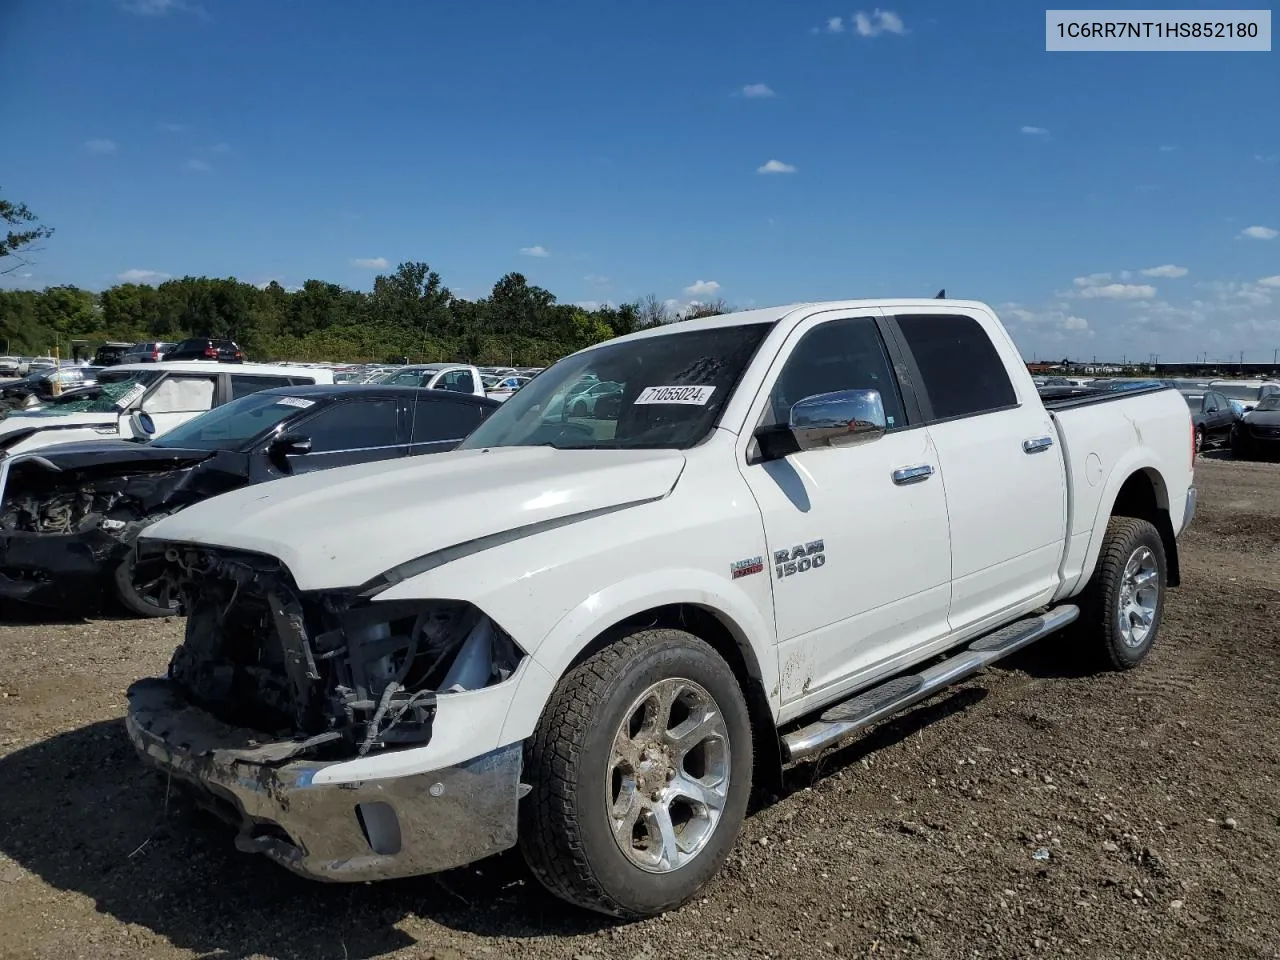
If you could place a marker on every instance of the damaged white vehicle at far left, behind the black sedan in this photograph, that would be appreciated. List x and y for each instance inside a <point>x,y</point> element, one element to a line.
<point>170,394</point>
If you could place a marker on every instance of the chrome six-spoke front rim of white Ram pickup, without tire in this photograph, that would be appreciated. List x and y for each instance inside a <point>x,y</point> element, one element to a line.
<point>668,781</point>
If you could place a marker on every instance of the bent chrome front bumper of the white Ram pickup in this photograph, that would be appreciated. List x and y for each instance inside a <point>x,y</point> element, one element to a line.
<point>344,833</point>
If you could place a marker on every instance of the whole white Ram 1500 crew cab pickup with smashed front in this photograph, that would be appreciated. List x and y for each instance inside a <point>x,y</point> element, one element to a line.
<point>591,636</point>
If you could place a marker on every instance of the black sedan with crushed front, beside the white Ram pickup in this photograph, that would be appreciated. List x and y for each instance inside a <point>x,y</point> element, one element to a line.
<point>71,514</point>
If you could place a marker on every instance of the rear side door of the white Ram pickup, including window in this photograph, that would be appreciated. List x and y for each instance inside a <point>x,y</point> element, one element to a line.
<point>1002,468</point>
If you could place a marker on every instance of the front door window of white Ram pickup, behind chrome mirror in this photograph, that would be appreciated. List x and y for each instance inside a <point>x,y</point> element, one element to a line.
<point>839,355</point>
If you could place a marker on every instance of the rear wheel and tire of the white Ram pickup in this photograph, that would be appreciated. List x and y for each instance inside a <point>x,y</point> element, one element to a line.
<point>1131,547</point>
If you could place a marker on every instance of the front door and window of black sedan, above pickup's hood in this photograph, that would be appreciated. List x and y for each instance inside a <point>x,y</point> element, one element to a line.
<point>353,432</point>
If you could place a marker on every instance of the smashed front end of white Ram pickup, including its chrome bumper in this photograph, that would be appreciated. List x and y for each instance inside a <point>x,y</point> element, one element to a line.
<point>273,691</point>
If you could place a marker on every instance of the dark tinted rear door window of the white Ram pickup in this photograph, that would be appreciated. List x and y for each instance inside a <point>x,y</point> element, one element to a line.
<point>963,373</point>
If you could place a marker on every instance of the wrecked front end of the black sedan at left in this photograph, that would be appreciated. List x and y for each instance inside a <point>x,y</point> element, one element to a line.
<point>68,519</point>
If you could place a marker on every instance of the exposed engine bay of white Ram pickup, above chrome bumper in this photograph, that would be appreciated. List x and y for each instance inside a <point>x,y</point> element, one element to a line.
<point>335,674</point>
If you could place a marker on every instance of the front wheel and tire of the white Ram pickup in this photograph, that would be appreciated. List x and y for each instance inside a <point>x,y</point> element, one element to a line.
<point>582,788</point>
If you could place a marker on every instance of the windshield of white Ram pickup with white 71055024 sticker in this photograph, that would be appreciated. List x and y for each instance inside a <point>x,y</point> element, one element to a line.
<point>664,392</point>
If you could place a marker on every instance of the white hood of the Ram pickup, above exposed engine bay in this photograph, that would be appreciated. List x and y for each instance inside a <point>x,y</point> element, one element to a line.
<point>344,528</point>
